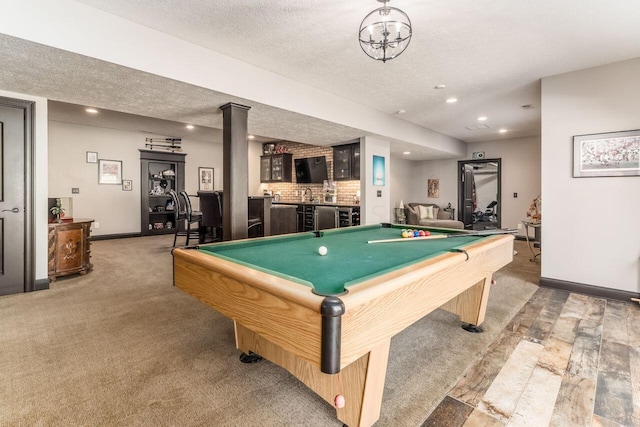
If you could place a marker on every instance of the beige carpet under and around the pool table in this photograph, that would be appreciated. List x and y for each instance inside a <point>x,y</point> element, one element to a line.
<point>122,347</point>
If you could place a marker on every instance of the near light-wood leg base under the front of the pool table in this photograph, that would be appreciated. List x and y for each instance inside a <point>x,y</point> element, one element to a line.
<point>361,382</point>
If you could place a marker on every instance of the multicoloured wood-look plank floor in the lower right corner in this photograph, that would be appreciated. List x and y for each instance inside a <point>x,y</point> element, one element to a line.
<point>564,360</point>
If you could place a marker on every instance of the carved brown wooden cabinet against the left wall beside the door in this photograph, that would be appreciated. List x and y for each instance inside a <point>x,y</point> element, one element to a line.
<point>69,248</point>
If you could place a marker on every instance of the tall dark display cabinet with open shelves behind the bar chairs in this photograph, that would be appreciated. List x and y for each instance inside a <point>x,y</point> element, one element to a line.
<point>160,172</point>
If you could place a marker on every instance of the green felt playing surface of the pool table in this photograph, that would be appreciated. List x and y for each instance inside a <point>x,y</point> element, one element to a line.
<point>350,259</point>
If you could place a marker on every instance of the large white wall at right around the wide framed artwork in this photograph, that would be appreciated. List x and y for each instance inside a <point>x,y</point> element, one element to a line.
<point>591,232</point>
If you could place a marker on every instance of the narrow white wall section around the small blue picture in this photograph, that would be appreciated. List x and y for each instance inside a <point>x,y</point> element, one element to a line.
<point>376,209</point>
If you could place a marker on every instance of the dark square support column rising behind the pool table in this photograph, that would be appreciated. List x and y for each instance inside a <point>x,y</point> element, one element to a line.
<point>235,166</point>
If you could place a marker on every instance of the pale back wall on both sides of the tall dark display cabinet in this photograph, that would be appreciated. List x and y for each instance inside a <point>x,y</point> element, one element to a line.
<point>117,211</point>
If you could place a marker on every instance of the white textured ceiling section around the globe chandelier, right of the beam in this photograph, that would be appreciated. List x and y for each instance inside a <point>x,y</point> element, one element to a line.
<point>490,54</point>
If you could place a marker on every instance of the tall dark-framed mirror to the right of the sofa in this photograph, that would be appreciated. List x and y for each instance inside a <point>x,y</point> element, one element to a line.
<point>479,201</point>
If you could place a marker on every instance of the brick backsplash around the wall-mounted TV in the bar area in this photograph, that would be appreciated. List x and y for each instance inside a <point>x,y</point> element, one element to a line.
<point>346,190</point>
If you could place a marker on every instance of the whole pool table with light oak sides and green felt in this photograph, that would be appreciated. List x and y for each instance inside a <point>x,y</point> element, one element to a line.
<point>329,319</point>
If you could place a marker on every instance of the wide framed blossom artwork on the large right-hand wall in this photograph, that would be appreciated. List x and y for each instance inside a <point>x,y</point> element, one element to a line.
<point>607,154</point>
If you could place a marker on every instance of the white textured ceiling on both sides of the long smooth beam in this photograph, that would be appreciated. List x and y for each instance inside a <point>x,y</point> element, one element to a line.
<point>491,55</point>
